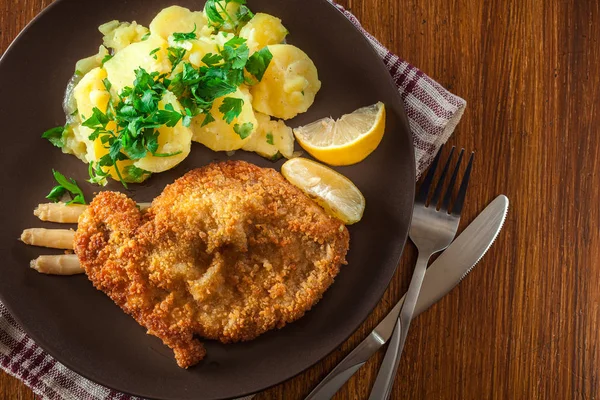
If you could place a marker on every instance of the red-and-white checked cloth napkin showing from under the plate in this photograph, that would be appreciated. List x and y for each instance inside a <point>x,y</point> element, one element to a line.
<point>433,113</point>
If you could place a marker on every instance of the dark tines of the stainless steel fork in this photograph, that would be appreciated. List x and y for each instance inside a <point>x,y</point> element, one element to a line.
<point>424,191</point>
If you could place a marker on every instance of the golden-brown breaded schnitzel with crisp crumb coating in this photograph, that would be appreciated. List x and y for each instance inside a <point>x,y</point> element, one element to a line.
<point>226,252</point>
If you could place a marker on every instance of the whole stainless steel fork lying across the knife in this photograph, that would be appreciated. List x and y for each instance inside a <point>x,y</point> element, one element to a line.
<point>432,230</point>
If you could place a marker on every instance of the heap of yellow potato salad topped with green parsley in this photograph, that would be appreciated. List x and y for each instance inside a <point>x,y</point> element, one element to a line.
<point>223,77</point>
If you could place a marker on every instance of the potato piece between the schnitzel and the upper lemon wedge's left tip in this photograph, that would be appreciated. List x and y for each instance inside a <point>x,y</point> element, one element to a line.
<point>270,138</point>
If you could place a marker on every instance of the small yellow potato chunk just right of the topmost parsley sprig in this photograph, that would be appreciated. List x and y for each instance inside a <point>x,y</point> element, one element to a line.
<point>263,30</point>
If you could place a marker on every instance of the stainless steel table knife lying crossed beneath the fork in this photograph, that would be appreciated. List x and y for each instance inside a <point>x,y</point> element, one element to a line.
<point>441,277</point>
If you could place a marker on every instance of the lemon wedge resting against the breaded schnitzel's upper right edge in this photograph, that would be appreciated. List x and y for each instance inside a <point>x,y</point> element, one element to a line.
<point>330,189</point>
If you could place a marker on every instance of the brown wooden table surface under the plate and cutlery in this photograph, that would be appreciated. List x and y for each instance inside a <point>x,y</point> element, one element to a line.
<point>525,324</point>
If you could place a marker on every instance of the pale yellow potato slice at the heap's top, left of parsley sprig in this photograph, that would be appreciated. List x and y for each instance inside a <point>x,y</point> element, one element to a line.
<point>176,19</point>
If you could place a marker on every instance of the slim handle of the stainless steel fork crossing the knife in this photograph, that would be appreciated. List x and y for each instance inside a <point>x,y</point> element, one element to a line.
<point>382,389</point>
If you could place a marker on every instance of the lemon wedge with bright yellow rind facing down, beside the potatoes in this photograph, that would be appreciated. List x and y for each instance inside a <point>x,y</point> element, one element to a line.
<point>346,141</point>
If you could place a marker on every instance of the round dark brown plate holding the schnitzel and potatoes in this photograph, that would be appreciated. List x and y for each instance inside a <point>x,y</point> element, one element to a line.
<point>83,328</point>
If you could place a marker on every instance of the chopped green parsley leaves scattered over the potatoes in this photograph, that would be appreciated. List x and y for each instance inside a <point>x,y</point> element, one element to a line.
<point>129,128</point>
